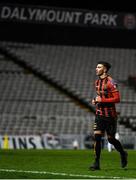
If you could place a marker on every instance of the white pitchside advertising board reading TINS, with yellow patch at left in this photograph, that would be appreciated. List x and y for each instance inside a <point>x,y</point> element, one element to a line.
<point>45,141</point>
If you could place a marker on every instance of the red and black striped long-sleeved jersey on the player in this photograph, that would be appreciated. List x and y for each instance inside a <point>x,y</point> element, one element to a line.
<point>107,89</point>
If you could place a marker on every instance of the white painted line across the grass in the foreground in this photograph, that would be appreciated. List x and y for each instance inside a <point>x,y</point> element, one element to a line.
<point>61,174</point>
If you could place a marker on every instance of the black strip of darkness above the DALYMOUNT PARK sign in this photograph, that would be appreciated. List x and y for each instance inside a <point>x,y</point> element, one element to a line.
<point>119,6</point>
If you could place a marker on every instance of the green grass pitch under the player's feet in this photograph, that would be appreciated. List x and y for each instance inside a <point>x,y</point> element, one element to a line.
<point>63,164</point>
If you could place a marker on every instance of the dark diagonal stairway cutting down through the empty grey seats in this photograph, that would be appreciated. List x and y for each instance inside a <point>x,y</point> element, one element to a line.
<point>45,77</point>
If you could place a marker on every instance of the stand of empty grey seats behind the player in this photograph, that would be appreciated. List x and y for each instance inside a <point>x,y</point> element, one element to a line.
<point>31,105</point>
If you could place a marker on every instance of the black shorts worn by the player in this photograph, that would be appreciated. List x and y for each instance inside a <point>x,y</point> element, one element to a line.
<point>106,124</point>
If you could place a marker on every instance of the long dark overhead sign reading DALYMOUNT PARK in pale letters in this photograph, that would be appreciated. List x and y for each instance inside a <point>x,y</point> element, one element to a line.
<point>66,16</point>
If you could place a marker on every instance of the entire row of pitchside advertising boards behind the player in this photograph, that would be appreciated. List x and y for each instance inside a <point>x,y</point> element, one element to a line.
<point>62,141</point>
